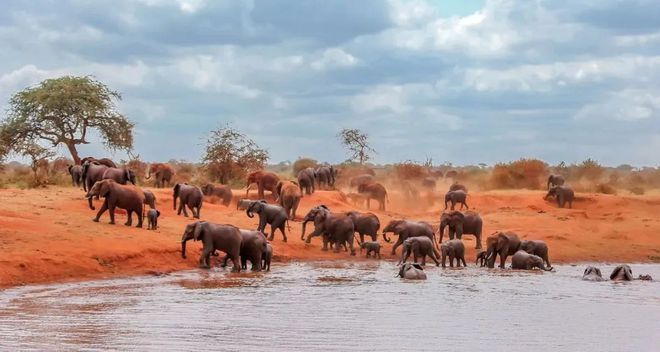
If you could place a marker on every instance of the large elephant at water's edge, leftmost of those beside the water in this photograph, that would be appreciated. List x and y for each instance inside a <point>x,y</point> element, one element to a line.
<point>226,238</point>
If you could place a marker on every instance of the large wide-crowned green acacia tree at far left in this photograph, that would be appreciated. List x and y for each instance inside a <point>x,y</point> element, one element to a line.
<point>62,111</point>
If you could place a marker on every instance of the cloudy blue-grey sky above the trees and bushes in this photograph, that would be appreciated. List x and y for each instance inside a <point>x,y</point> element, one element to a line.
<point>457,81</point>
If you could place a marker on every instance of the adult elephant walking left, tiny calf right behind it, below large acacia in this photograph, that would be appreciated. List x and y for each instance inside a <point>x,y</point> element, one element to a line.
<point>116,195</point>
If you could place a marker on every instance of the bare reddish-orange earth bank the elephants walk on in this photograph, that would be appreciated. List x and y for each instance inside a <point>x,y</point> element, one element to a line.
<point>47,235</point>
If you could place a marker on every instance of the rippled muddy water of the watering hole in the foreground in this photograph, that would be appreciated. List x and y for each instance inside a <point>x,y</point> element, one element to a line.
<point>338,306</point>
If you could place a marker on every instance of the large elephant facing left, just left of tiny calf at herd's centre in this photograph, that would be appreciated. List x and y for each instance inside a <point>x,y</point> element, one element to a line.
<point>336,229</point>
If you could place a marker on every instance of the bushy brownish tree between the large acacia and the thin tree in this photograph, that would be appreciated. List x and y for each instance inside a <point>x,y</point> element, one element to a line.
<point>230,155</point>
